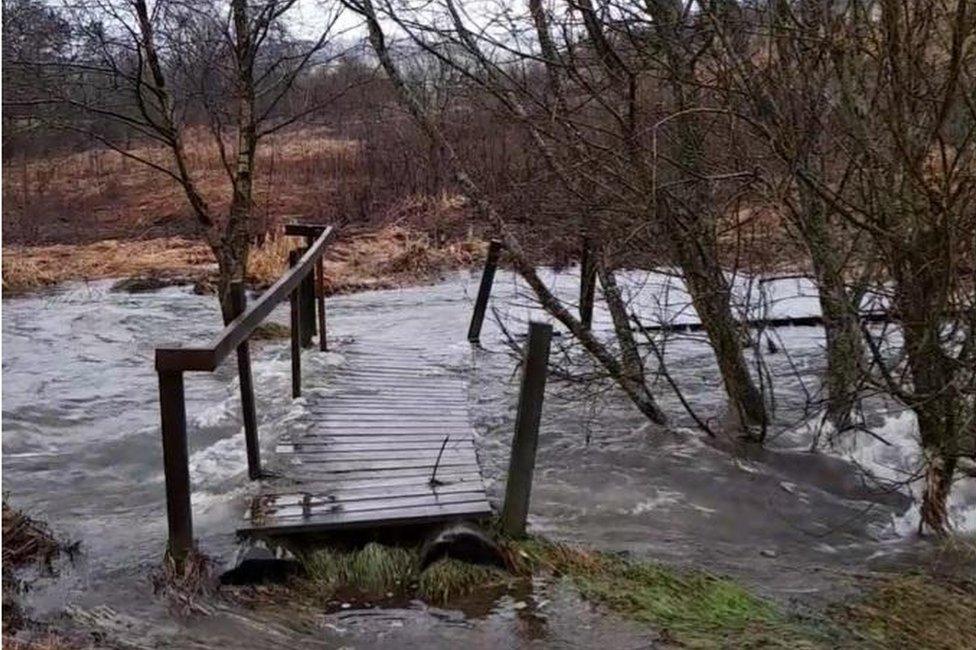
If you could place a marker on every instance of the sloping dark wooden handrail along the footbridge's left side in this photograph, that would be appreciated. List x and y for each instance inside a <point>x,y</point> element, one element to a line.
<point>240,329</point>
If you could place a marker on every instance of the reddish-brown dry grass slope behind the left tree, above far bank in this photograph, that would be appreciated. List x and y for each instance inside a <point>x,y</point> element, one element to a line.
<point>101,194</point>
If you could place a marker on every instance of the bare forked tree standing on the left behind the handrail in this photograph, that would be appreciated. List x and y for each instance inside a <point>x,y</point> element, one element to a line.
<point>153,67</point>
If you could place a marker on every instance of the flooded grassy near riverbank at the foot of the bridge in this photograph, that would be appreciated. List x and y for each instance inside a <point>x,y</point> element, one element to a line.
<point>665,605</point>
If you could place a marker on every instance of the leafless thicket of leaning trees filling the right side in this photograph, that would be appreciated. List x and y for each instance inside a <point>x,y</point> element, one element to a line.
<point>853,121</point>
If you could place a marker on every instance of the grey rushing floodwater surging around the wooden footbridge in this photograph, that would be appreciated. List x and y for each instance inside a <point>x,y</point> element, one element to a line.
<point>81,449</point>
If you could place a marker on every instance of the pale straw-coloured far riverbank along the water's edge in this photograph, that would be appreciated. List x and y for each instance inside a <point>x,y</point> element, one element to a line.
<point>390,257</point>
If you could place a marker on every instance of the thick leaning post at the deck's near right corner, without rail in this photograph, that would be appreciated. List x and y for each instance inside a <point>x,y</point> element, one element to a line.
<point>518,486</point>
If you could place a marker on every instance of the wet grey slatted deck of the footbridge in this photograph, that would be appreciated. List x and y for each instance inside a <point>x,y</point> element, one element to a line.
<point>368,454</point>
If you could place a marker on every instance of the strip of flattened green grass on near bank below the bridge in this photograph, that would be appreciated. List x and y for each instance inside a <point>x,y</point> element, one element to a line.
<point>689,608</point>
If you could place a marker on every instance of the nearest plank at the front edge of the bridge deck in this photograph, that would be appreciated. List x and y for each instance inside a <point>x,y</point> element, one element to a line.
<point>374,518</point>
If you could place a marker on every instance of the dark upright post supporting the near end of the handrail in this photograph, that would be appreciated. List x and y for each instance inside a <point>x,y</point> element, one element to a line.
<point>176,464</point>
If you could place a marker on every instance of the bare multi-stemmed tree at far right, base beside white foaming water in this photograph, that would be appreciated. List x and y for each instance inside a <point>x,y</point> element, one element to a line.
<point>899,107</point>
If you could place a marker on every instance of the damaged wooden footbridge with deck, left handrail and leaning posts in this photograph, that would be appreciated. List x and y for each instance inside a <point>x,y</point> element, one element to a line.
<point>390,446</point>
